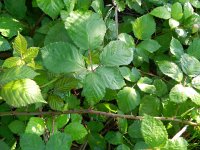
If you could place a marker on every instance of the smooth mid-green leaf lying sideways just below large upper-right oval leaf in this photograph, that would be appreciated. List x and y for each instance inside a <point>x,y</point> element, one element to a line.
<point>149,45</point>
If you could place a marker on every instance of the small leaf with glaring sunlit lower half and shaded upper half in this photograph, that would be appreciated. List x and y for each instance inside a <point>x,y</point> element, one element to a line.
<point>145,85</point>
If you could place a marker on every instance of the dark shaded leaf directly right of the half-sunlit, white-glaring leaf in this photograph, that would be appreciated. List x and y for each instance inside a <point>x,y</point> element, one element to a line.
<point>161,87</point>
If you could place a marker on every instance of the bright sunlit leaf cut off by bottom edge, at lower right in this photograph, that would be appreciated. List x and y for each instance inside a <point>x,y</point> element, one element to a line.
<point>176,144</point>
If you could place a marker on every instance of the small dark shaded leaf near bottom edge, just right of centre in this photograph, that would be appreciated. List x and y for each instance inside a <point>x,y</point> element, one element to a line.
<point>114,138</point>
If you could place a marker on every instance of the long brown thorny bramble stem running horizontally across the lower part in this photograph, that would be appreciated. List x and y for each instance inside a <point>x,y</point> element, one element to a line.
<point>89,111</point>
